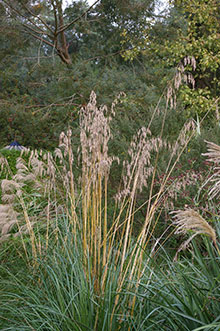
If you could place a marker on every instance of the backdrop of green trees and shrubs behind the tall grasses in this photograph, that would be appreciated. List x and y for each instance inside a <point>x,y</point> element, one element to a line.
<point>52,57</point>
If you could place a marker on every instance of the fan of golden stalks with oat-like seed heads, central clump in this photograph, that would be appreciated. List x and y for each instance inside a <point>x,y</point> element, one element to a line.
<point>110,253</point>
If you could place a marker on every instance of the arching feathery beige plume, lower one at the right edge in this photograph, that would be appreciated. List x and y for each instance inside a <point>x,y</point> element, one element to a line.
<point>190,221</point>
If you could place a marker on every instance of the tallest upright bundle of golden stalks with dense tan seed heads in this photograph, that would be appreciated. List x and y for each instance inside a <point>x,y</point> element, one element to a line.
<point>94,136</point>
